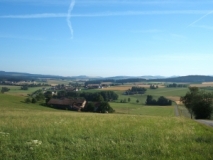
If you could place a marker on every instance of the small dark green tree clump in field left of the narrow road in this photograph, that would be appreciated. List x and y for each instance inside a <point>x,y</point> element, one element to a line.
<point>162,101</point>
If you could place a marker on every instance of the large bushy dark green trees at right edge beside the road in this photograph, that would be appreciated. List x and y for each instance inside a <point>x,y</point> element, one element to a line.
<point>198,102</point>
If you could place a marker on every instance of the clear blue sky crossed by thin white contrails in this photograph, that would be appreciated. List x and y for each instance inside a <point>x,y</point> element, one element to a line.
<point>107,37</point>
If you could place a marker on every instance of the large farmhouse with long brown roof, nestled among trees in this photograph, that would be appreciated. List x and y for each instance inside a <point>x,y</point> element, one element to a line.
<point>67,104</point>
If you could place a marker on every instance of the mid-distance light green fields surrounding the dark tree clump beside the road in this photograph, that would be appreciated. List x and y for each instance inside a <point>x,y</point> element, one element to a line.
<point>141,109</point>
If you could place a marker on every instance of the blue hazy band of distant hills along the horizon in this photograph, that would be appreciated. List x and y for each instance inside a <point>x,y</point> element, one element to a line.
<point>17,76</point>
